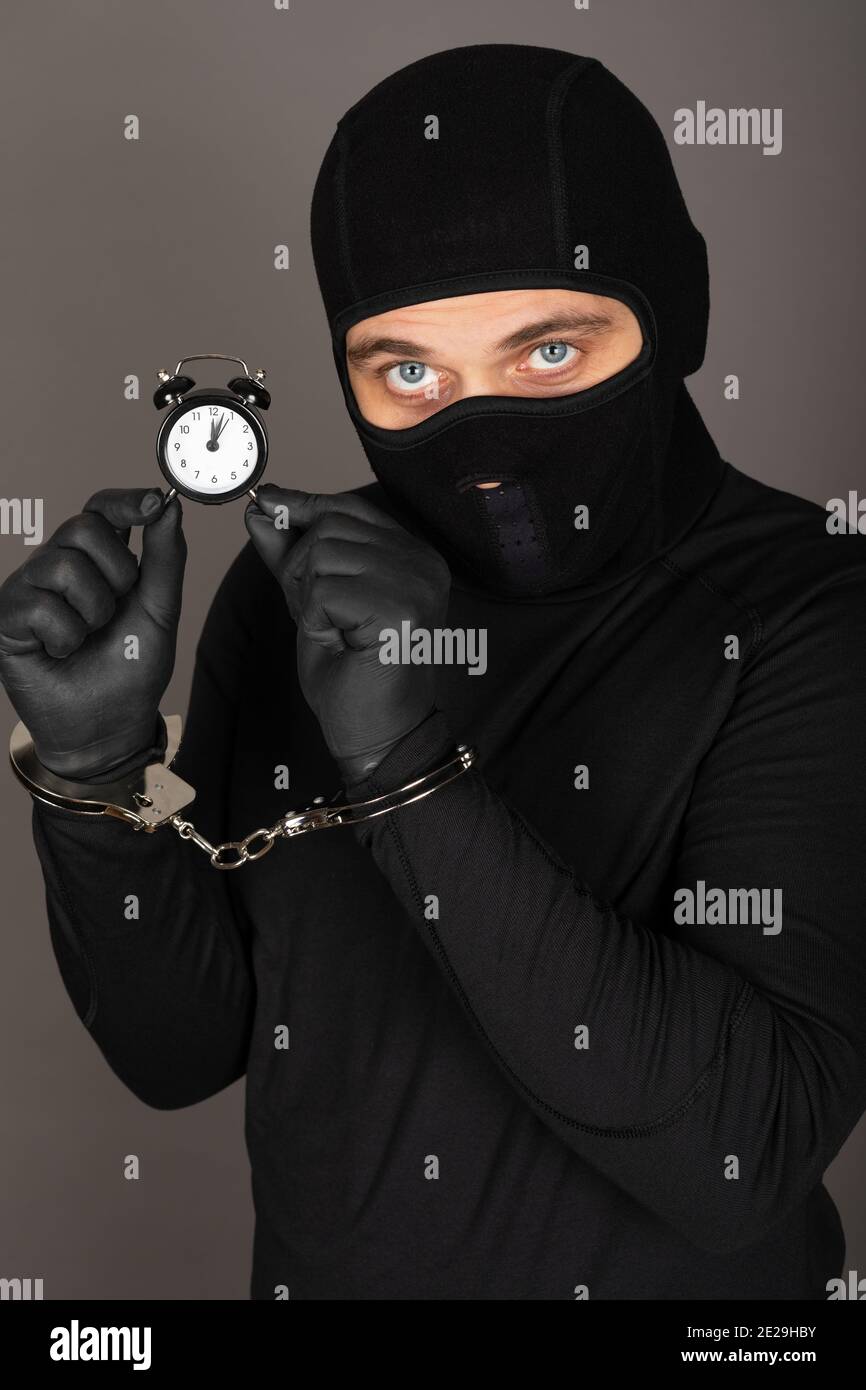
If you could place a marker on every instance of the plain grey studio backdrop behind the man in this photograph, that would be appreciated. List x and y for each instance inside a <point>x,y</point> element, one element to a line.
<point>123,256</point>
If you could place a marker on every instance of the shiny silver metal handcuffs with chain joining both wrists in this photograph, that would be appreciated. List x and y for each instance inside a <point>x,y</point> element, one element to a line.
<point>152,797</point>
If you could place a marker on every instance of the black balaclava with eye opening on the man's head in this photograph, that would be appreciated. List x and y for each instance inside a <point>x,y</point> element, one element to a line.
<point>539,154</point>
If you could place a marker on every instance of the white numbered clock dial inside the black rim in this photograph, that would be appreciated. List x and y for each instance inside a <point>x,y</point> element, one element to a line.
<point>212,450</point>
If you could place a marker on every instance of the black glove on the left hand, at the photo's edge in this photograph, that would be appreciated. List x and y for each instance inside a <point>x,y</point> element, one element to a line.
<point>66,616</point>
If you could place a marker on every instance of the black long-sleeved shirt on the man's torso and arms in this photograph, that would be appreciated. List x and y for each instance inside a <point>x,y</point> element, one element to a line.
<point>514,1071</point>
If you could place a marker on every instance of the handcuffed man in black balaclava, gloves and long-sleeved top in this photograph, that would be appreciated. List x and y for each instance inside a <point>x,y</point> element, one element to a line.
<point>589,1020</point>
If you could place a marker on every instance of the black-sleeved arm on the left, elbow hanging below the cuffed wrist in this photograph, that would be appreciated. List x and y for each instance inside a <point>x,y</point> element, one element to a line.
<point>166,988</point>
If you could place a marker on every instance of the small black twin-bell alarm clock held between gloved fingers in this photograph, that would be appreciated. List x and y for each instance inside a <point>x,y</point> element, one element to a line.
<point>212,445</point>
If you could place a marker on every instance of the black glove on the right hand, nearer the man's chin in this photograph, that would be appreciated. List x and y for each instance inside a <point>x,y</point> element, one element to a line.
<point>348,572</point>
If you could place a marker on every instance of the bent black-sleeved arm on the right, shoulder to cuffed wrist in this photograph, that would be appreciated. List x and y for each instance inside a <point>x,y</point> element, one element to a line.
<point>725,1067</point>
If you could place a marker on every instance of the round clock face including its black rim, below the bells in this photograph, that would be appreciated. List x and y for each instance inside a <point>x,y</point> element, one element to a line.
<point>212,450</point>
